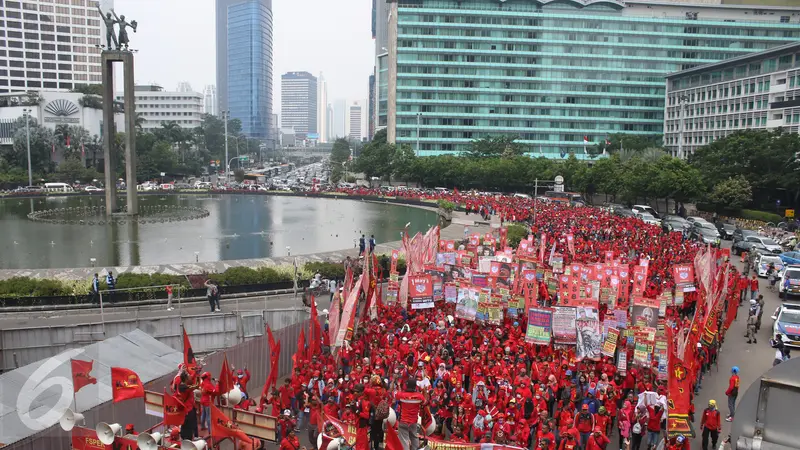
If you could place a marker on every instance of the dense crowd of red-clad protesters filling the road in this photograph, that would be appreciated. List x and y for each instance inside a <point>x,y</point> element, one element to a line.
<point>485,383</point>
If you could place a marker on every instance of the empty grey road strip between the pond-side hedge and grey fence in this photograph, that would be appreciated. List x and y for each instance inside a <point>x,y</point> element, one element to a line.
<point>85,316</point>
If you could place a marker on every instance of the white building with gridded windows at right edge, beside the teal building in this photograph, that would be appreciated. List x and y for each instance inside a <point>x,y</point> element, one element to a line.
<point>754,91</point>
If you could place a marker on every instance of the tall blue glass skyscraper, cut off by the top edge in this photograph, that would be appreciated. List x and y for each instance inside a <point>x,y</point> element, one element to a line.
<point>247,65</point>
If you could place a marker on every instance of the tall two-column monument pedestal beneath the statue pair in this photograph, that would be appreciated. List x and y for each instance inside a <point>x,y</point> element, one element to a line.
<point>108,58</point>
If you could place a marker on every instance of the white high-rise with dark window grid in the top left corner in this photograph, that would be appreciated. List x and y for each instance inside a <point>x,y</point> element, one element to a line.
<point>51,44</point>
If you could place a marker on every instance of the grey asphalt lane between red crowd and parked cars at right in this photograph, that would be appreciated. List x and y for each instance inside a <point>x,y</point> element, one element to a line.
<point>753,360</point>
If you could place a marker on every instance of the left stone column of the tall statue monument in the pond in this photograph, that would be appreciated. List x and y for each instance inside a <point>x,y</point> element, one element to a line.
<point>109,130</point>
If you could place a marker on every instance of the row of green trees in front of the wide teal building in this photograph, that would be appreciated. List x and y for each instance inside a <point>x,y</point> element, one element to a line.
<point>746,167</point>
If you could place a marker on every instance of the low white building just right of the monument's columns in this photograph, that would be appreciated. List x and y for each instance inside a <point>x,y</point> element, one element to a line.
<point>157,106</point>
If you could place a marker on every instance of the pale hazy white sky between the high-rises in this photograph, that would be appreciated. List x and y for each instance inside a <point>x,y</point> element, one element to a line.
<point>176,41</point>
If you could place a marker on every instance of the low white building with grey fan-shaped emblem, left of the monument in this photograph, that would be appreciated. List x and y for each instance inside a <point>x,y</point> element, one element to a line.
<point>55,108</point>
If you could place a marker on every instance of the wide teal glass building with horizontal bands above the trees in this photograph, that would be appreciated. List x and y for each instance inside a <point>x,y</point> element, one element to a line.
<point>556,72</point>
